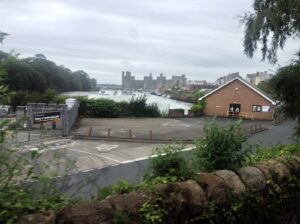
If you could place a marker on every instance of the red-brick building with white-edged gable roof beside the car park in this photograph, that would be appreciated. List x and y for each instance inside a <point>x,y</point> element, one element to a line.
<point>238,98</point>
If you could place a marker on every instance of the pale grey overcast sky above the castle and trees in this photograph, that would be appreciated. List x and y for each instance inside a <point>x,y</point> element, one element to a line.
<point>202,39</point>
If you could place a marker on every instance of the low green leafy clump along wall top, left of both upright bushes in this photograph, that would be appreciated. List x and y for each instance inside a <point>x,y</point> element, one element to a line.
<point>122,187</point>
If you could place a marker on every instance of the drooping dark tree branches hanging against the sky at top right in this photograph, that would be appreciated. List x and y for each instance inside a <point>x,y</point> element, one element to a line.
<point>271,23</point>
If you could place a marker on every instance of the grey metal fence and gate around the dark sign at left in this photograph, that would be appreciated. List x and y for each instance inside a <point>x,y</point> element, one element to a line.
<point>24,127</point>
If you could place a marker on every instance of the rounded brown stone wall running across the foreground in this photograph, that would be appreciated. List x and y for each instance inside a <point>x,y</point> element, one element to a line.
<point>185,201</point>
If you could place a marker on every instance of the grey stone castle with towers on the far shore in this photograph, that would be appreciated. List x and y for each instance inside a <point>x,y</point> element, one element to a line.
<point>161,82</point>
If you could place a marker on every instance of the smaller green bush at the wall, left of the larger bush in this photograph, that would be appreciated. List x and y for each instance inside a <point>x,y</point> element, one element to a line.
<point>168,162</point>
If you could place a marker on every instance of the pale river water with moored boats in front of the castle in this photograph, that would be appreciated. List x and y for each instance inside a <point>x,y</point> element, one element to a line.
<point>163,103</point>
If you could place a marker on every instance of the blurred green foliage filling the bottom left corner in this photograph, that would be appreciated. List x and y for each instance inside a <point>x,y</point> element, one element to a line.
<point>15,198</point>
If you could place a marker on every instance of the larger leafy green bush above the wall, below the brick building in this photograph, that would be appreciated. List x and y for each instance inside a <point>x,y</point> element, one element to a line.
<point>220,148</point>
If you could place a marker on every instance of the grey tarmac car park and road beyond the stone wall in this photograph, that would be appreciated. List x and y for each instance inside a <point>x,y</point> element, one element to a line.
<point>108,162</point>
